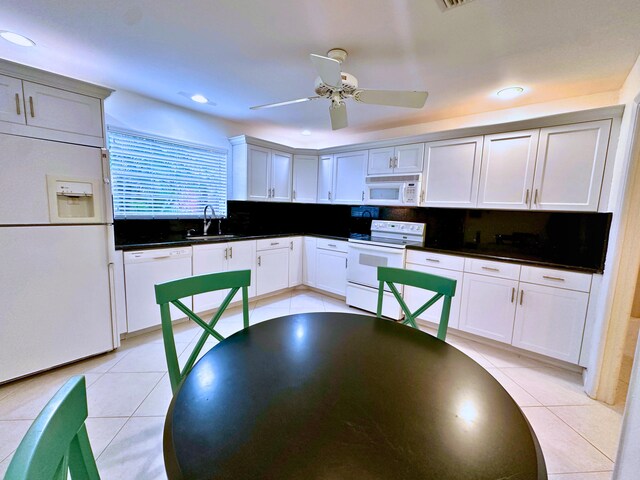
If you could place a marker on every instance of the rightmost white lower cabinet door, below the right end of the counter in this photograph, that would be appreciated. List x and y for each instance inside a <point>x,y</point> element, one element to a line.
<point>550,321</point>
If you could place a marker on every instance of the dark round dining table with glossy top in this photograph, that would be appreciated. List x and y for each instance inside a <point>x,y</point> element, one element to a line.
<point>344,396</point>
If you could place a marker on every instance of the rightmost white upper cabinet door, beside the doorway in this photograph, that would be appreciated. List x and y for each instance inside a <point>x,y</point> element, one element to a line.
<point>570,166</point>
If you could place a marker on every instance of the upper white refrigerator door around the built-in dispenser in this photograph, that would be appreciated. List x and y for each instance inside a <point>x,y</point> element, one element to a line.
<point>26,163</point>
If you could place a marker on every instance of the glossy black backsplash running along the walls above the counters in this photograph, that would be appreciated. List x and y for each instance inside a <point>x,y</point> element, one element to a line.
<point>572,239</point>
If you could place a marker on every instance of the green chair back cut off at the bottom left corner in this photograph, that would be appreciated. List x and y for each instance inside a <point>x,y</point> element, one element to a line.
<point>57,444</point>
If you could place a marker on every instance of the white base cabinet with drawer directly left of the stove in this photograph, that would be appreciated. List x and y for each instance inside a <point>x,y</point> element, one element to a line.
<point>331,266</point>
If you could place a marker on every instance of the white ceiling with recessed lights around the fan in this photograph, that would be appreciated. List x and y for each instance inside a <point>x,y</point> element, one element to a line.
<point>241,53</point>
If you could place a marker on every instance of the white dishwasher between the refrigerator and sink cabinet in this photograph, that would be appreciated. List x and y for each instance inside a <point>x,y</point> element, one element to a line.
<point>143,269</point>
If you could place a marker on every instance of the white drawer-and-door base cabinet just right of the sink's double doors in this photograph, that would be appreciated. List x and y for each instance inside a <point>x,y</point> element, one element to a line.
<point>272,266</point>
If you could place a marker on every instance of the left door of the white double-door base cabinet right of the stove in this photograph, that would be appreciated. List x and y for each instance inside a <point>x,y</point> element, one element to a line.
<point>488,306</point>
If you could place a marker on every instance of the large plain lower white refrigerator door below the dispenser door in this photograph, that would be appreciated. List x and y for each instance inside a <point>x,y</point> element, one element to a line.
<point>55,290</point>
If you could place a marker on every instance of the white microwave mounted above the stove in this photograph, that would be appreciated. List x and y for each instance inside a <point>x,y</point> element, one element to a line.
<point>393,190</point>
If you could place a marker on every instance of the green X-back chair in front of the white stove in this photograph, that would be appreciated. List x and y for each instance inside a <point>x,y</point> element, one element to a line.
<point>443,287</point>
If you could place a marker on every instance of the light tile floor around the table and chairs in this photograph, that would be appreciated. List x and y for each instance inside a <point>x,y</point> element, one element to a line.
<point>128,393</point>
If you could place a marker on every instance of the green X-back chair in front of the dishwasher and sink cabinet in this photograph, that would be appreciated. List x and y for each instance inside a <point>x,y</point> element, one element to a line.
<point>171,293</point>
